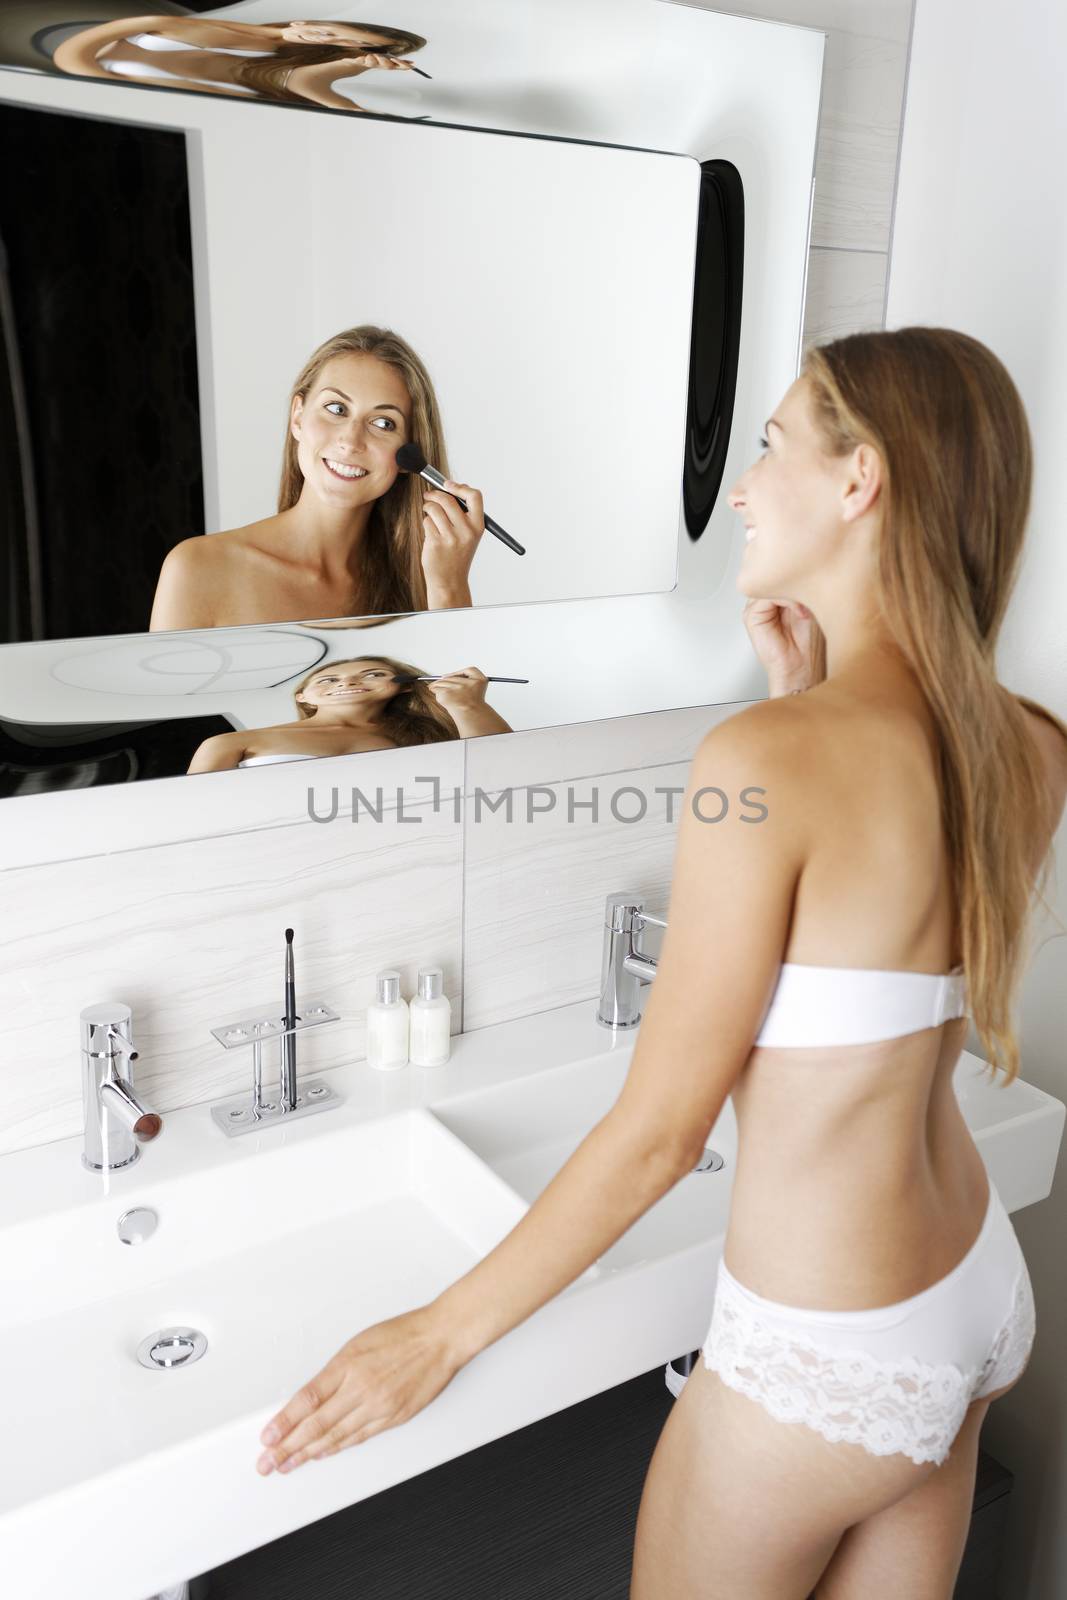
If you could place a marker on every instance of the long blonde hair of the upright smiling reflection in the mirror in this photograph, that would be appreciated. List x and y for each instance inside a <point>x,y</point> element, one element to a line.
<point>393,577</point>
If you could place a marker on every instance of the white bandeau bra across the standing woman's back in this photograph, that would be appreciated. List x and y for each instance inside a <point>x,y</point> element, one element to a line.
<point>858,1006</point>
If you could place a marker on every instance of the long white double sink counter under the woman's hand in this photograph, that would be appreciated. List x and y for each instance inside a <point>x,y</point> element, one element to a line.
<point>281,1246</point>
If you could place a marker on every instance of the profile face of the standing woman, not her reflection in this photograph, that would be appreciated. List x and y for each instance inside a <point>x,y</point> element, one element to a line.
<point>789,502</point>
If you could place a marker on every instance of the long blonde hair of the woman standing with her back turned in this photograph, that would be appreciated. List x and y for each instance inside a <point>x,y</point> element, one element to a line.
<point>953,434</point>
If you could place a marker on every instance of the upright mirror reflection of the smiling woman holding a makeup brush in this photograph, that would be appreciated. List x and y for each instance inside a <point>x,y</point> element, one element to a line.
<point>353,535</point>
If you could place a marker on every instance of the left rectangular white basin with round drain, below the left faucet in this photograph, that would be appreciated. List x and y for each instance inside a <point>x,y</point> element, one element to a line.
<point>247,1254</point>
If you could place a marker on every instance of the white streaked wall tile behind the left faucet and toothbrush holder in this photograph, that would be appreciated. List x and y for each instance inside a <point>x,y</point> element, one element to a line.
<point>193,935</point>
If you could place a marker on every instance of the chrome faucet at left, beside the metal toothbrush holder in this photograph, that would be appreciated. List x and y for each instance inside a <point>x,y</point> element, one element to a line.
<point>116,1122</point>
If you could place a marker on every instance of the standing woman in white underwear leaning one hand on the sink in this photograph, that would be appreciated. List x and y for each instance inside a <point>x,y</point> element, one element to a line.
<point>873,1297</point>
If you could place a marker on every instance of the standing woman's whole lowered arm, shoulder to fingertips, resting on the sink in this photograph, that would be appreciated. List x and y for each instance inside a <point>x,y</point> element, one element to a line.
<point>733,887</point>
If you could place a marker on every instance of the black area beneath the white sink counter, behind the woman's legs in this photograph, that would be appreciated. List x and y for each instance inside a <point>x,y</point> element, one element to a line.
<point>543,1514</point>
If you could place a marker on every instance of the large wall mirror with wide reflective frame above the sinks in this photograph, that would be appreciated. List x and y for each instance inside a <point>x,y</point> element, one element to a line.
<point>375,383</point>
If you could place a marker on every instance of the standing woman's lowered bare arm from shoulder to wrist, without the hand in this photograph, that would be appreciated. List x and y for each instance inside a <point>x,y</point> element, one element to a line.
<point>732,897</point>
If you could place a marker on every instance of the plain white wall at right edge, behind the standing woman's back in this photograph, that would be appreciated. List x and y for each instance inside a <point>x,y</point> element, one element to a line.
<point>981,244</point>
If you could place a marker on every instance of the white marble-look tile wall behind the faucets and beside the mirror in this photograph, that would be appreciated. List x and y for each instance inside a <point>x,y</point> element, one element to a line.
<point>190,934</point>
